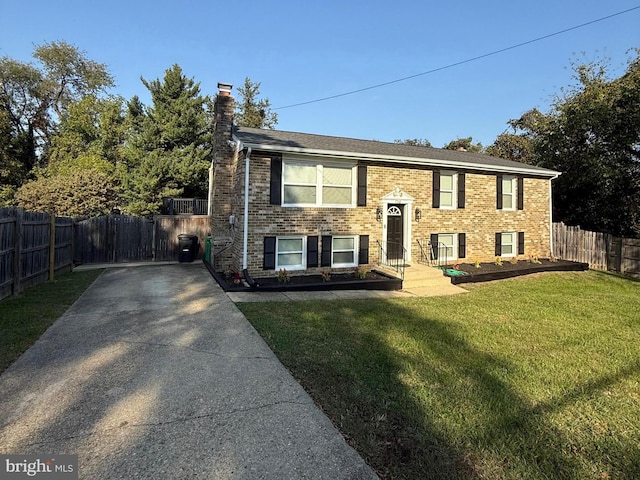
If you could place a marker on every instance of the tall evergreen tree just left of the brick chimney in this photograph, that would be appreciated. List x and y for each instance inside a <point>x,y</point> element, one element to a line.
<point>171,143</point>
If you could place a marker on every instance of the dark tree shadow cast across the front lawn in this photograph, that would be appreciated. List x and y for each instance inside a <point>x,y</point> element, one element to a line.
<point>363,383</point>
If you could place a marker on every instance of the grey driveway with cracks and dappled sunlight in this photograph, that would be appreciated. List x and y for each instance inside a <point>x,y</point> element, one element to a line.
<point>154,373</point>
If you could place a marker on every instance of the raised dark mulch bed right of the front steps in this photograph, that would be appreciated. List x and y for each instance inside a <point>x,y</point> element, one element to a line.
<point>491,271</point>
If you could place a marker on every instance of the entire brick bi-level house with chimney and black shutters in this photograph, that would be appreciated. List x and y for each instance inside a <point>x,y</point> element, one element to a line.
<point>309,203</point>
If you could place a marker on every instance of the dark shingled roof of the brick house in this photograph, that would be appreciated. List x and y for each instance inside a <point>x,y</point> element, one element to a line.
<point>340,147</point>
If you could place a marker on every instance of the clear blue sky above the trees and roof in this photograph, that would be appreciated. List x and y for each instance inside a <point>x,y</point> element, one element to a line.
<point>304,50</point>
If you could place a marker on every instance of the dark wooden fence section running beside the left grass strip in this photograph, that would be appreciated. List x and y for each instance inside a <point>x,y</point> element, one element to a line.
<point>33,247</point>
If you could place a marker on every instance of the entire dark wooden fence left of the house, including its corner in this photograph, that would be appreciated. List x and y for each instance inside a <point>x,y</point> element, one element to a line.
<point>35,246</point>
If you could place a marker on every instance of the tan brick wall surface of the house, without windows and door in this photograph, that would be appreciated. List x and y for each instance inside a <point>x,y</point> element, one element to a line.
<point>480,220</point>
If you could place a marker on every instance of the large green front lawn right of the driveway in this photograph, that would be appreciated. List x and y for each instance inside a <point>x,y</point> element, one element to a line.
<point>536,377</point>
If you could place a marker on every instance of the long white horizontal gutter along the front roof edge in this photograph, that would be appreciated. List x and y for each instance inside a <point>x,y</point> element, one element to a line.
<point>407,160</point>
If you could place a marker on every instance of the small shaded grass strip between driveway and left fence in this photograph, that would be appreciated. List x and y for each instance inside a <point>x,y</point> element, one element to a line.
<point>24,318</point>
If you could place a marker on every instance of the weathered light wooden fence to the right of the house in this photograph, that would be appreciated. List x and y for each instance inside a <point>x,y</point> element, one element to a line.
<point>601,251</point>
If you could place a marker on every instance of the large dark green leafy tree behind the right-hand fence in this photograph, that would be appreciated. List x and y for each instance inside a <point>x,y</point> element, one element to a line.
<point>592,135</point>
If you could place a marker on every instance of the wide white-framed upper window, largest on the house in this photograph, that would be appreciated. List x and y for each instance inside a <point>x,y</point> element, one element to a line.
<point>318,184</point>
